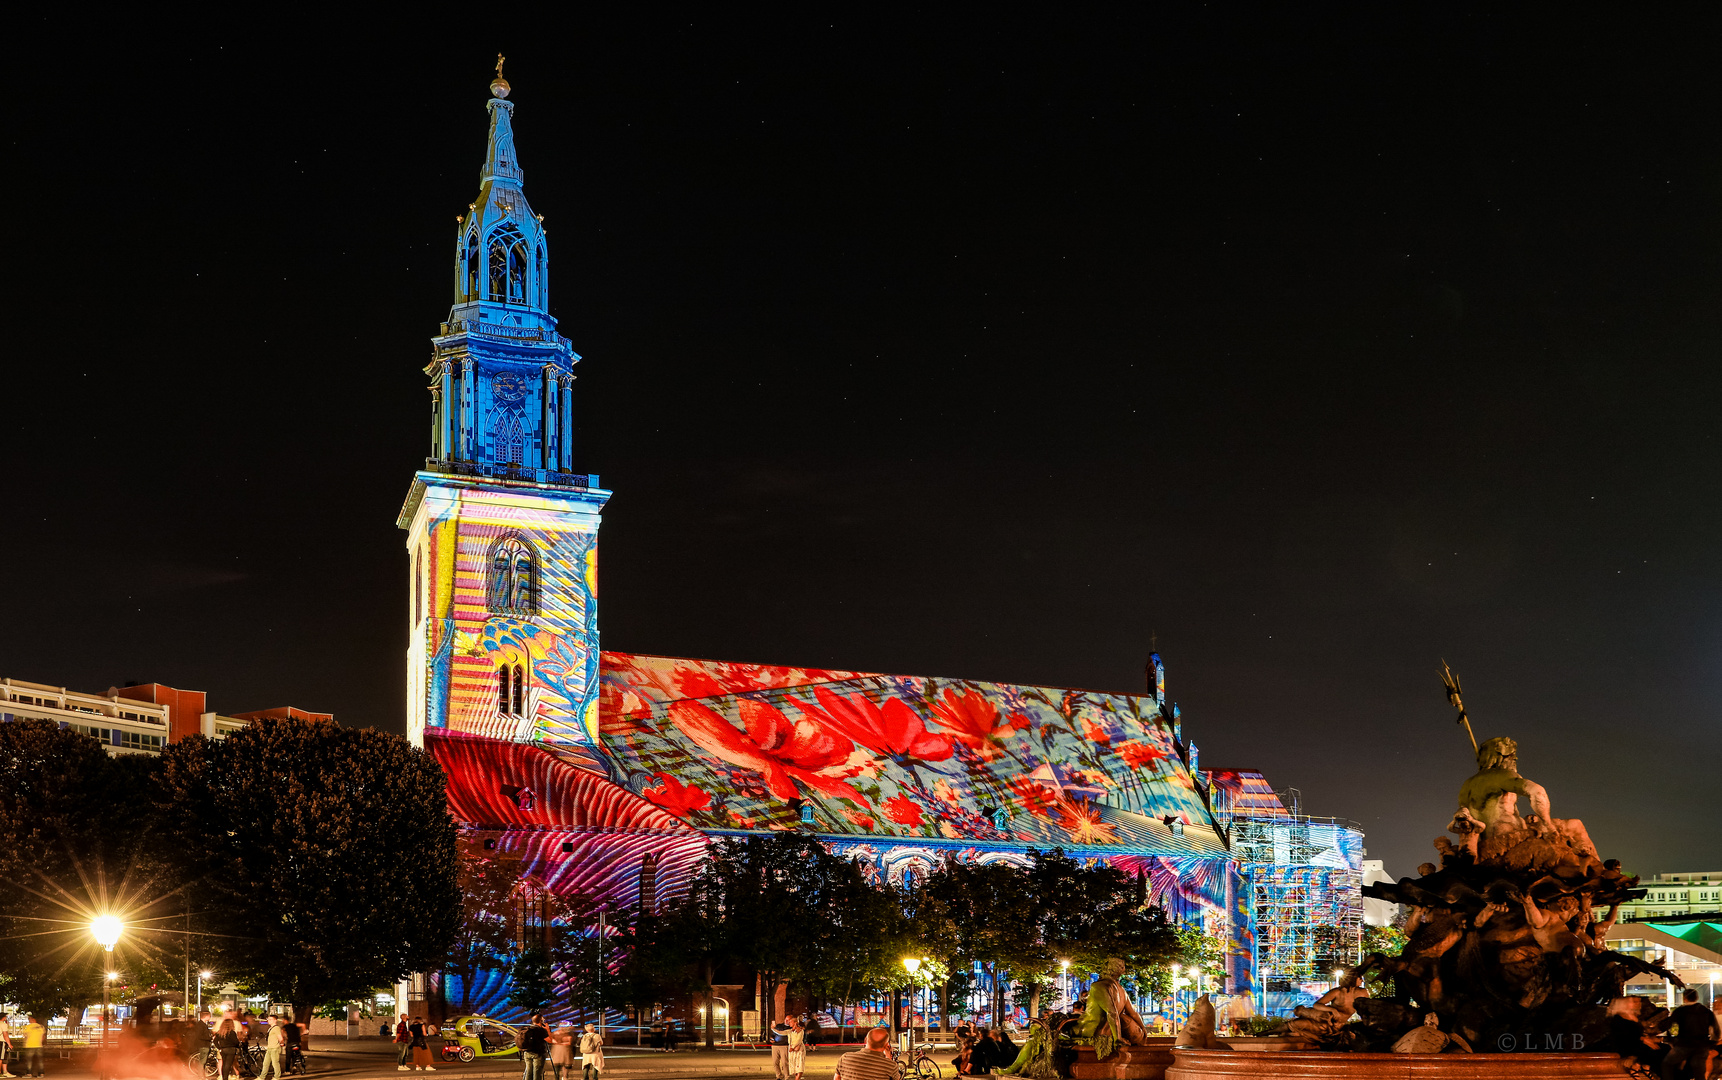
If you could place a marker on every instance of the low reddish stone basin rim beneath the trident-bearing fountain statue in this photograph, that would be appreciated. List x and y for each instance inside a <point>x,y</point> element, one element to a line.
<point>1316,1065</point>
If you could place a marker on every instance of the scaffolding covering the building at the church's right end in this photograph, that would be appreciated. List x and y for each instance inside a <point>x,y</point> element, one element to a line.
<point>1304,879</point>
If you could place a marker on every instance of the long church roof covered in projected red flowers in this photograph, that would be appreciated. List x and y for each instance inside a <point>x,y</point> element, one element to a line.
<point>746,748</point>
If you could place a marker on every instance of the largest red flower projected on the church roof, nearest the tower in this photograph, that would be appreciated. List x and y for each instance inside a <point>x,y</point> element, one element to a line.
<point>776,747</point>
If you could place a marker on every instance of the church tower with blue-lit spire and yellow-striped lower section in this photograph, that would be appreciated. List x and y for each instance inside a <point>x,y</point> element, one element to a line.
<point>502,537</point>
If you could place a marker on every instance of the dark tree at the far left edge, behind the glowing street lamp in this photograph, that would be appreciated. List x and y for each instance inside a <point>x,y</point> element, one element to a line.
<point>70,826</point>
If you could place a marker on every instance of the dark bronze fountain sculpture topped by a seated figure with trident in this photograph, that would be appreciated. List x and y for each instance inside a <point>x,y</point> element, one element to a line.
<point>1504,940</point>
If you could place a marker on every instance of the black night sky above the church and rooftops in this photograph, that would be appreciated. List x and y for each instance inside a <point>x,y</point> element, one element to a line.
<point>1320,344</point>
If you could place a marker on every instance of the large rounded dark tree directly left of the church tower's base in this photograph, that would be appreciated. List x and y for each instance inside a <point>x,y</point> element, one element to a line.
<point>325,857</point>
